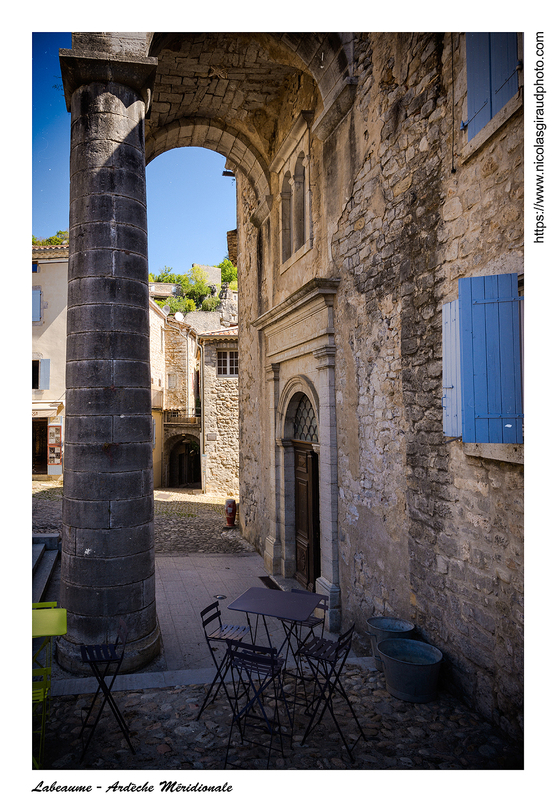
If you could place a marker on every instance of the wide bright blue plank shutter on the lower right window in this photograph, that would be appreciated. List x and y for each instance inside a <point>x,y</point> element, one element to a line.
<point>490,340</point>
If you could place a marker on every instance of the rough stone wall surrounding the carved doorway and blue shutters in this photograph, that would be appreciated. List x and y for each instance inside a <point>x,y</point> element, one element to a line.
<point>428,529</point>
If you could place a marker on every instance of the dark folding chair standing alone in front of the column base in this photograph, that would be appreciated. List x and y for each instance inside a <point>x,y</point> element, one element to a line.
<point>100,658</point>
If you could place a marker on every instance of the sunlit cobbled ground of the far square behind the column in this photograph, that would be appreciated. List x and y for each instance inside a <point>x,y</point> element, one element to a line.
<point>184,521</point>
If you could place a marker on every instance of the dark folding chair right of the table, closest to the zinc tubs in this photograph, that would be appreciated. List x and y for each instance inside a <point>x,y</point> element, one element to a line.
<point>326,659</point>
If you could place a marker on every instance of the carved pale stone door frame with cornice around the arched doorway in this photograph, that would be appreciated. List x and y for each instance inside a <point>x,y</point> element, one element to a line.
<point>300,359</point>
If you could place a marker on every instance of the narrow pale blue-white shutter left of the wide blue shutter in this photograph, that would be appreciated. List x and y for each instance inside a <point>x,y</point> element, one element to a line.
<point>451,381</point>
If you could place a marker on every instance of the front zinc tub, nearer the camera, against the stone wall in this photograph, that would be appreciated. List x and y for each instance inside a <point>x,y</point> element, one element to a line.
<point>411,669</point>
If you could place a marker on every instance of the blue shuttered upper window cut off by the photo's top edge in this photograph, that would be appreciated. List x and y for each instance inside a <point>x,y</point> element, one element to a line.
<point>492,76</point>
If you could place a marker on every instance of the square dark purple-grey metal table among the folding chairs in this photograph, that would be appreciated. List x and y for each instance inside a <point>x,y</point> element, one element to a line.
<point>290,608</point>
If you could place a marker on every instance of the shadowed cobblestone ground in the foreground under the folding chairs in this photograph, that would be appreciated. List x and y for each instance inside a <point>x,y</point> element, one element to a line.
<point>438,735</point>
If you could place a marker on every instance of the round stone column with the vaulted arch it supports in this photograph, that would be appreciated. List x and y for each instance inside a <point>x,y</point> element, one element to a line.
<point>131,97</point>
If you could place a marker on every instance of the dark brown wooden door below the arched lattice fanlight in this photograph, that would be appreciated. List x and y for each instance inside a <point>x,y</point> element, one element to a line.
<point>307,533</point>
